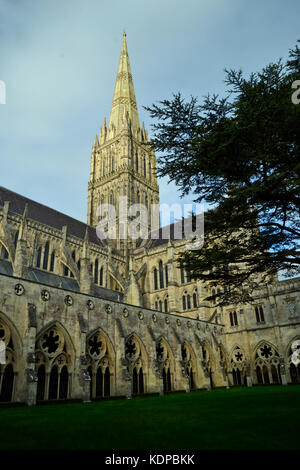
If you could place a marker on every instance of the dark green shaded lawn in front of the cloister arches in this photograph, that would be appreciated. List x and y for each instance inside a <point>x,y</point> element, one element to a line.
<point>240,418</point>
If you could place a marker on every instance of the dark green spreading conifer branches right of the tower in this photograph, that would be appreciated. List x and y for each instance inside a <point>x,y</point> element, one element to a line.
<point>241,154</point>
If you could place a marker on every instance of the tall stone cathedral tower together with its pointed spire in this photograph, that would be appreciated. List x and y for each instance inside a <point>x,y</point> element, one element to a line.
<point>122,162</point>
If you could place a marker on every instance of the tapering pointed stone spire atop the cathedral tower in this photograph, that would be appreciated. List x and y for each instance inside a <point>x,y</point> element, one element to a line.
<point>124,96</point>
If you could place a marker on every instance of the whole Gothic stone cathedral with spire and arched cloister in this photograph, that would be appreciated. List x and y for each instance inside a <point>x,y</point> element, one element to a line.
<point>84,317</point>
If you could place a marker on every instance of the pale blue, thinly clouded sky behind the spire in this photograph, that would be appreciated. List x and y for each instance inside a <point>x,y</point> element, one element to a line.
<point>59,61</point>
